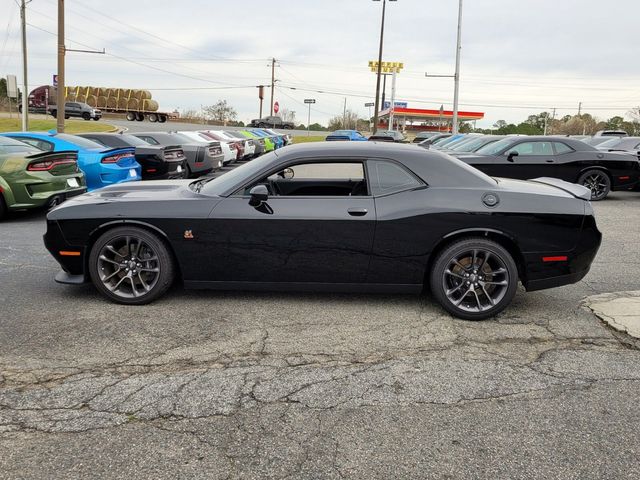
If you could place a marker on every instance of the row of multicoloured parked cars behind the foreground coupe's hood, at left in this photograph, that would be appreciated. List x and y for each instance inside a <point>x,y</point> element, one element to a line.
<point>42,169</point>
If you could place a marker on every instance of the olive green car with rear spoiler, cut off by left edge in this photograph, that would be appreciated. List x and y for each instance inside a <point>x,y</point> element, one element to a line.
<point>31,178</point>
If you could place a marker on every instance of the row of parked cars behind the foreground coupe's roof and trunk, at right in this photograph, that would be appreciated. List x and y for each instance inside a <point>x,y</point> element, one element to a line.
<point>605,162</point>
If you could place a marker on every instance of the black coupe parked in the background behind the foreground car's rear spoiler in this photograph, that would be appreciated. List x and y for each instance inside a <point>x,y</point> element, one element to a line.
<point>558,157</point>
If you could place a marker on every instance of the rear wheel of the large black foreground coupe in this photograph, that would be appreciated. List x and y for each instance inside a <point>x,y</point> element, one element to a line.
<point>474,278</point>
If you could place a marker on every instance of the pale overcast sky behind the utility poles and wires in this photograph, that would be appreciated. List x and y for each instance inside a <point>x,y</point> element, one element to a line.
<point>518,57</point>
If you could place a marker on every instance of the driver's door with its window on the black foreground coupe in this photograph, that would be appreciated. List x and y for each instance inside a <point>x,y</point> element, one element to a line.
<point>316,226</point>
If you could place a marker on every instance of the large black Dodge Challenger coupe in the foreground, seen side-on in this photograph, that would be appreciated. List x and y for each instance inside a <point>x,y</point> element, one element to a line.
<point>340,216</point>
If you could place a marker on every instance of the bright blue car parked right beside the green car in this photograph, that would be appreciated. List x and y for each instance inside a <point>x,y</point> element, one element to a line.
<point>101,166</point>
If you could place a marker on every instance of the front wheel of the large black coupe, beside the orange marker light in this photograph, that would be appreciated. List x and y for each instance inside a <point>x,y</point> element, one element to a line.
<point>131,266</point>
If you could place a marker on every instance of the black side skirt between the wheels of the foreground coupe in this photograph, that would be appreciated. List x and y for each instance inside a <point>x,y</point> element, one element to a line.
<point>307,287</point>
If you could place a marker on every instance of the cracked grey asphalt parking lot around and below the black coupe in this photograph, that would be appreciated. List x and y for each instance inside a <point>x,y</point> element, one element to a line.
<point>277,385</point>
